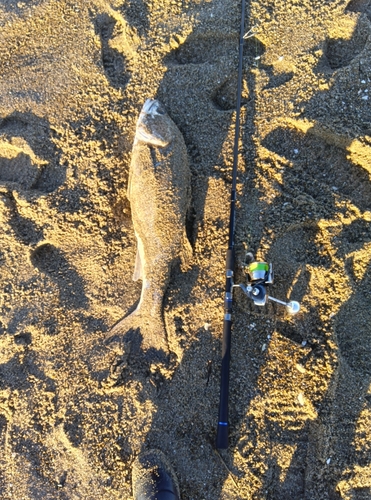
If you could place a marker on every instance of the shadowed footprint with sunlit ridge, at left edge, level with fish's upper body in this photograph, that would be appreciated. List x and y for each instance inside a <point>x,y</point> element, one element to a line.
<point>28,159</point>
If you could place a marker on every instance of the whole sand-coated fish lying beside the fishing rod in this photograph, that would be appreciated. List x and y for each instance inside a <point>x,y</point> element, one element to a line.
<point>159,192</point>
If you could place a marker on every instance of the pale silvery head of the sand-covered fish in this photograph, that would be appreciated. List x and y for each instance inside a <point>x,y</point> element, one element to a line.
<point>154,125</point>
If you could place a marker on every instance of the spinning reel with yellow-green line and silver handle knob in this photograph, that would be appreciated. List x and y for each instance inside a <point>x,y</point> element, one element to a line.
<point>259,275</point>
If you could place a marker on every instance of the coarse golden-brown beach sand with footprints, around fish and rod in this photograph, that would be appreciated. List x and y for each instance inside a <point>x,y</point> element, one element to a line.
<point>73,414</point>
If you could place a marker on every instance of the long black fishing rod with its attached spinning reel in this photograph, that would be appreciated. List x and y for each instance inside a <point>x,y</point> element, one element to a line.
<point>259,274</point>
